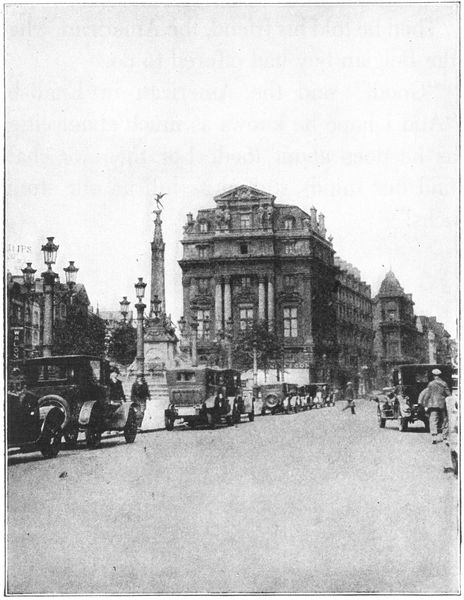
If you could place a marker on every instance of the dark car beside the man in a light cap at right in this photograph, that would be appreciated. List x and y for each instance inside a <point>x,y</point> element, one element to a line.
<point>409,381</point>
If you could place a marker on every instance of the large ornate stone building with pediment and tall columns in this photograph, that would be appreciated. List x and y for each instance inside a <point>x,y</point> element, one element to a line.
<point>250,259</point>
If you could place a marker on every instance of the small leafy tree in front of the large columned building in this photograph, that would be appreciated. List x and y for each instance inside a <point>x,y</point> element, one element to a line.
<point>268,347</point>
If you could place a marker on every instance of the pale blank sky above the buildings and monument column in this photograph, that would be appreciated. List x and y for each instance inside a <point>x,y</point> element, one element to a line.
<point>350,108</point>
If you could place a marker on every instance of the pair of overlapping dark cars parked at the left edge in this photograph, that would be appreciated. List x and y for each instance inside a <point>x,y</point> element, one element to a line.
<point>62,396</point>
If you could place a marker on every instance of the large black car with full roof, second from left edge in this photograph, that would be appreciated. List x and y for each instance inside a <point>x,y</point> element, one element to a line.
<point>78,385</point>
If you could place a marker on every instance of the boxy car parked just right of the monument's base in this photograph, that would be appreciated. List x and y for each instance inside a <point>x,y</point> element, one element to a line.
<point>205,396</point>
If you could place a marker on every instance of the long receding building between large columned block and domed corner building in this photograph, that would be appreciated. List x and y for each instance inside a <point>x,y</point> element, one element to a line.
<point>355,330</point>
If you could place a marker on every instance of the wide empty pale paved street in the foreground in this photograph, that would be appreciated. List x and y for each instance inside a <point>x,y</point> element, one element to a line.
<point>322,501</point>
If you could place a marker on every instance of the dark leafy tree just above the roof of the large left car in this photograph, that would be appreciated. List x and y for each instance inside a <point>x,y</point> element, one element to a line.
<point>79,334</point>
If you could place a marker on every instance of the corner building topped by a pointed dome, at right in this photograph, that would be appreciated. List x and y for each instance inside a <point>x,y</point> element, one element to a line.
<point>397,339</point>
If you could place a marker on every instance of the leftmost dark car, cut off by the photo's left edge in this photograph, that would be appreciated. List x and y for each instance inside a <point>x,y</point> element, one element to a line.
<point>30,427</point>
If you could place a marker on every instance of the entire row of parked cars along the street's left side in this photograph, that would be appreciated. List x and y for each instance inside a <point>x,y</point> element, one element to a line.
<point>57,397</point>
